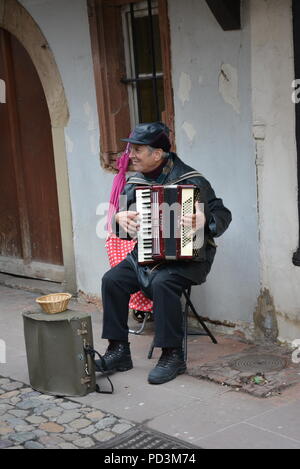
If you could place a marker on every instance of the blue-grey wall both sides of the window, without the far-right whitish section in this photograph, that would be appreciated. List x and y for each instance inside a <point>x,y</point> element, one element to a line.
<point>211,73</point>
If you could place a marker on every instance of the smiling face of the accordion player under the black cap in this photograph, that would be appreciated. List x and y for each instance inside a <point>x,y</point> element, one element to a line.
<point>143,160</point>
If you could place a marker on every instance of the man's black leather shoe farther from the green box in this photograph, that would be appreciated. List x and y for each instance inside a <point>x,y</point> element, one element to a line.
<point>170,364</point>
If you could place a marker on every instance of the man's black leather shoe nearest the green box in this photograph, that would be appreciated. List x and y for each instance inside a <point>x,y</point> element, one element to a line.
<point>116,358</point>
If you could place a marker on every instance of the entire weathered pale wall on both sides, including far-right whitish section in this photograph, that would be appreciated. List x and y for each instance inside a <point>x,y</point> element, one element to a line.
<point>217,77</point>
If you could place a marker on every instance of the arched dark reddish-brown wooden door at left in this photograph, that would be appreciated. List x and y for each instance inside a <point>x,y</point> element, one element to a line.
<point>30,237</point>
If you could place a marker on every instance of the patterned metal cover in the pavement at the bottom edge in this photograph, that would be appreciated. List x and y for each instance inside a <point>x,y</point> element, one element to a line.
<point>142,438</point>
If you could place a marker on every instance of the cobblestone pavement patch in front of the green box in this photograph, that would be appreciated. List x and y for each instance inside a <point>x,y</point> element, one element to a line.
<point>31,420</point>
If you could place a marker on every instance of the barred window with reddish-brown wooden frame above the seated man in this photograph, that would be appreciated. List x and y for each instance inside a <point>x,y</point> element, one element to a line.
<point>131,53</point>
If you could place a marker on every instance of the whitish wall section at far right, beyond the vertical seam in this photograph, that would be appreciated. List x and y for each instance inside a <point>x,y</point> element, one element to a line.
<point>274,112</point>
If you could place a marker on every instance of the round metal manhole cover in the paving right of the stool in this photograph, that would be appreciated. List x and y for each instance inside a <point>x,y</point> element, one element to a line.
<point>258,363</point>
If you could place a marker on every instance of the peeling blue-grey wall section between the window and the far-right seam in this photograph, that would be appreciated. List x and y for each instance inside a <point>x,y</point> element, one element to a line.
<point>213,133</point>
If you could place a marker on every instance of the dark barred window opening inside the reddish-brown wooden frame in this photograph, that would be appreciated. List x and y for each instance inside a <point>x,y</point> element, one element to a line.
<point>143,62</point>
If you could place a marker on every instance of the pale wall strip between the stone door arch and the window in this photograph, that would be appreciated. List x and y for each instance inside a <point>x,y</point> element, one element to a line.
<point>65,26</point>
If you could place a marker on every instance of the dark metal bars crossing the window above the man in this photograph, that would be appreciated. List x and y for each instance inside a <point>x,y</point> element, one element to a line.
<point>137,78</point>
